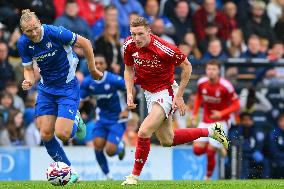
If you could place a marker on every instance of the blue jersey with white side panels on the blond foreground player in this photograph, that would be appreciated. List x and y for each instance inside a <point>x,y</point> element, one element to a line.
<point>53,55</point>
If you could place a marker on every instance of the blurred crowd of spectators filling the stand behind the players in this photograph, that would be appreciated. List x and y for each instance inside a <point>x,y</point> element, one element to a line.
<point>202,29</point>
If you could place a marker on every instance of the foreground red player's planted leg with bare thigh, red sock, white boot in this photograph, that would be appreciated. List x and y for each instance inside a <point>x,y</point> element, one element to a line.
<point>150,124</point>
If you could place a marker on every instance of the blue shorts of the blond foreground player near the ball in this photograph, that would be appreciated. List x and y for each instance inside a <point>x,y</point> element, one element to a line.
<point>61,103</point>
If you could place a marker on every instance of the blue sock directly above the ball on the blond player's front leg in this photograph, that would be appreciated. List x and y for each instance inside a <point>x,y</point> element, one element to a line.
<point>55,151</point>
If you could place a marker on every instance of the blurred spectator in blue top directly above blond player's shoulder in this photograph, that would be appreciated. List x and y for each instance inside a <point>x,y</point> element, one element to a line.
<point>70,20</point>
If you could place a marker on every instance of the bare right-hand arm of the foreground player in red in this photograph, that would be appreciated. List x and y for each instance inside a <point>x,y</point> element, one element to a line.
<point>185,75</point>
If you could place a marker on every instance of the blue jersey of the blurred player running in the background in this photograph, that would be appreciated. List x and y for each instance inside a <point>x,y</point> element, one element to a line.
<point>109,95</point>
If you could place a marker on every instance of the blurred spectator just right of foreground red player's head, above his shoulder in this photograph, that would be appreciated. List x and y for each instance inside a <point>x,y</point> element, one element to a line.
<point>158,29</point>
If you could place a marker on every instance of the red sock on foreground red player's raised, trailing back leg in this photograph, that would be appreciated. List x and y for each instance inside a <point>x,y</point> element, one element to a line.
<point>182,136</point>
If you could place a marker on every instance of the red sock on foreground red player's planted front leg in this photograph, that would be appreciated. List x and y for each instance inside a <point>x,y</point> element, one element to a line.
<point>141,154</point>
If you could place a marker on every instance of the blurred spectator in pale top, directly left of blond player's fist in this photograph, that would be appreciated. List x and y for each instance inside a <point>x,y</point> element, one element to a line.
<point>18,103</point>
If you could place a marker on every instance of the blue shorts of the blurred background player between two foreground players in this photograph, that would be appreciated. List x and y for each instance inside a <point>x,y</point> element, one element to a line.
<point>111,132</point>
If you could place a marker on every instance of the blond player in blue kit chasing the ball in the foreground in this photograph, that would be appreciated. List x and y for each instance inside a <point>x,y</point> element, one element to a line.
<point>58,97</point>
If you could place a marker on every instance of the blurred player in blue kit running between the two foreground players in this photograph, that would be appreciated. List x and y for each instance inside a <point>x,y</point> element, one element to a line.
<point>111,113</point>
